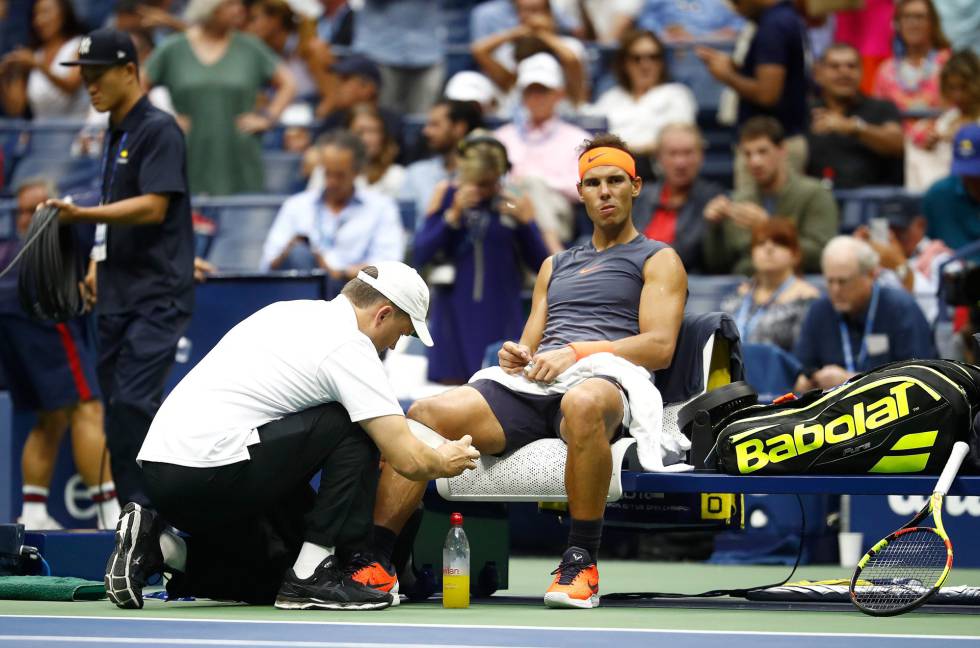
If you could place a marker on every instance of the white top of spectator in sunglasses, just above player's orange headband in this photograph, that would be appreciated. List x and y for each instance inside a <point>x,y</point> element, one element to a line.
<point>638,121</point>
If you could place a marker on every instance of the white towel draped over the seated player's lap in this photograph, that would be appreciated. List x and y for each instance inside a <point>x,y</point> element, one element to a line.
<point>658,451</point>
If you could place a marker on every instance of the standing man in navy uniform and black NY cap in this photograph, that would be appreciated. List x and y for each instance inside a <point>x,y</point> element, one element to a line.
<point>141,278</point>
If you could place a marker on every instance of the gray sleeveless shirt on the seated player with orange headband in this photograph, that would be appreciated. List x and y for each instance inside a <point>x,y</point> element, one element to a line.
<point>595,295</point>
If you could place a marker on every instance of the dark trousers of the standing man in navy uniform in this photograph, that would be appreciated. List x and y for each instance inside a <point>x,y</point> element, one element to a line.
<point>136,352</point>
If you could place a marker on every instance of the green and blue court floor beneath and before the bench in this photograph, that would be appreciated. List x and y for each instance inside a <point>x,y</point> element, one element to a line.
<point>512,618</point>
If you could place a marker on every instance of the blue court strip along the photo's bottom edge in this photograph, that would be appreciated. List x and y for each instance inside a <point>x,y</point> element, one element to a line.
<point>60,631</point>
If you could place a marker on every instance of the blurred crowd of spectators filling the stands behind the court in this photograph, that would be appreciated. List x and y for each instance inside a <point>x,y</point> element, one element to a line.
<point>812,153</point>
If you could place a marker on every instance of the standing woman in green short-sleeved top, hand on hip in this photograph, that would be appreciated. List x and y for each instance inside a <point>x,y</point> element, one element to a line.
<point>214,74</point>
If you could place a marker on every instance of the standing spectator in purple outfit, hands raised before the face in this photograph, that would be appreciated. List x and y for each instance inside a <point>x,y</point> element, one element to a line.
<point>490,238</point>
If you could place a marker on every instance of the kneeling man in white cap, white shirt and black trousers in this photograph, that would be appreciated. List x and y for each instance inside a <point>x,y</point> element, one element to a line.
<point>296,388</point>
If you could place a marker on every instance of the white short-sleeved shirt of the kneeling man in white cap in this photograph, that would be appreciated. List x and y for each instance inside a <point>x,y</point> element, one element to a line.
<point>286,358</point>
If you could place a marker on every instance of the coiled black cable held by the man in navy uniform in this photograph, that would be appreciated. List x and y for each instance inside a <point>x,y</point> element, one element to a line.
<point>49,275</point>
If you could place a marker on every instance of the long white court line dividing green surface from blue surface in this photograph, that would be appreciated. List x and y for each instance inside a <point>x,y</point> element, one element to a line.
<point>754,633</point>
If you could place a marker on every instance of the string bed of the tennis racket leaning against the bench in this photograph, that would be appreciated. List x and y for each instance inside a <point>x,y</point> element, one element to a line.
<point>903,571</point>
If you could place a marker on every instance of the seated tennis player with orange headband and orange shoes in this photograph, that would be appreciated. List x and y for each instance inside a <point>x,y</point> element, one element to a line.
<point>622,293</point>
